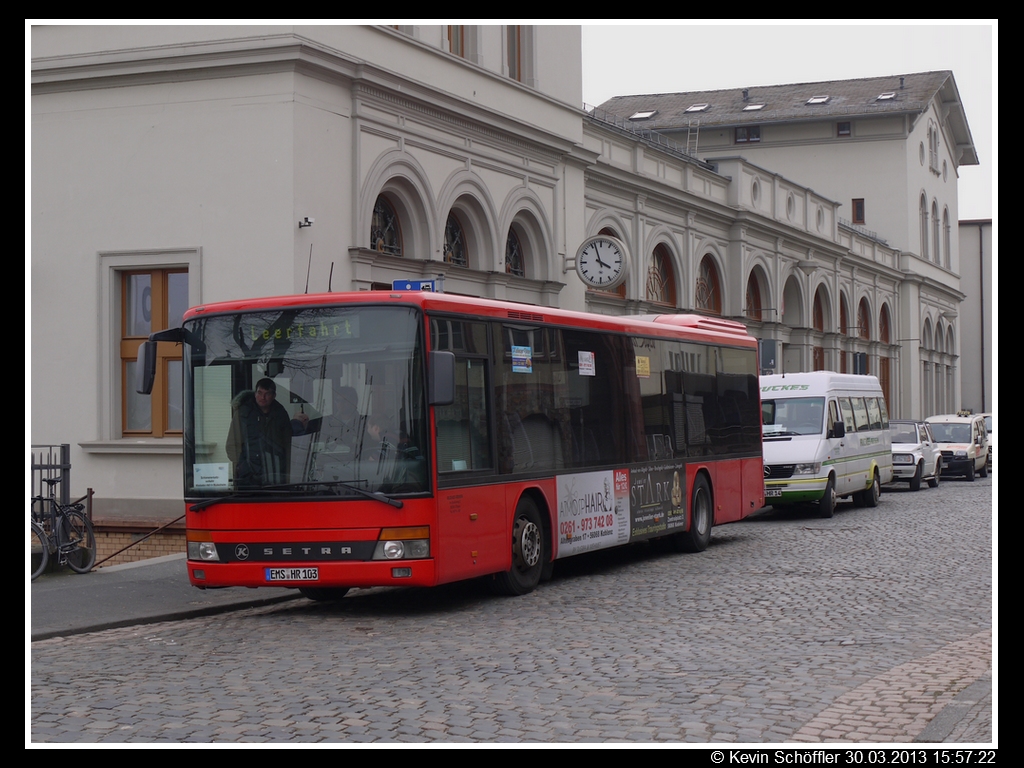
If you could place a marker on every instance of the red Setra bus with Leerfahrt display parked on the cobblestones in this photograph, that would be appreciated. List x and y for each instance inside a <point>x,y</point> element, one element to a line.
<point>414,439</point>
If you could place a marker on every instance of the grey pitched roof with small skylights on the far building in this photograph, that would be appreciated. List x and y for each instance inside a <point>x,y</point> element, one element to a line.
<point>790,103</point>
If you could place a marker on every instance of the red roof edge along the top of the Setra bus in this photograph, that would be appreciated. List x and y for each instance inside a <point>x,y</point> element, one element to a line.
<point>696,327</point>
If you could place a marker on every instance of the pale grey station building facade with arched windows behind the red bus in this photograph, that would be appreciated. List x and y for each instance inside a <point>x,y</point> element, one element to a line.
<point>199,154</point>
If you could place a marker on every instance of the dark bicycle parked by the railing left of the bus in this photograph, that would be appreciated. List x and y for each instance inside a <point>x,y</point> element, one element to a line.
<point>64,531</point>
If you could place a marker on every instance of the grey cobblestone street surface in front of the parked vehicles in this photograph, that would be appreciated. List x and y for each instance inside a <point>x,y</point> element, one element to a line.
<point>873,627</point>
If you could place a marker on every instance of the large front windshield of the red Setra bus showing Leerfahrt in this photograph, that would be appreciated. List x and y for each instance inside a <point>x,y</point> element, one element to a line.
<point>306,402</point>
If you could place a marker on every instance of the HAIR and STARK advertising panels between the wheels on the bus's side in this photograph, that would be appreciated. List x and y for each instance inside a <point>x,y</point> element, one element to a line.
<point>604,509</point>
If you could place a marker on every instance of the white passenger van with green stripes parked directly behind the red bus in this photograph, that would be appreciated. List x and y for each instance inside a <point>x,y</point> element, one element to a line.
<point>826,437</point>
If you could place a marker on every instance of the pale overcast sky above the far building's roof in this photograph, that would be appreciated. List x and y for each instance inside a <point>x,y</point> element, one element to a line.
<point>627,58</point>
